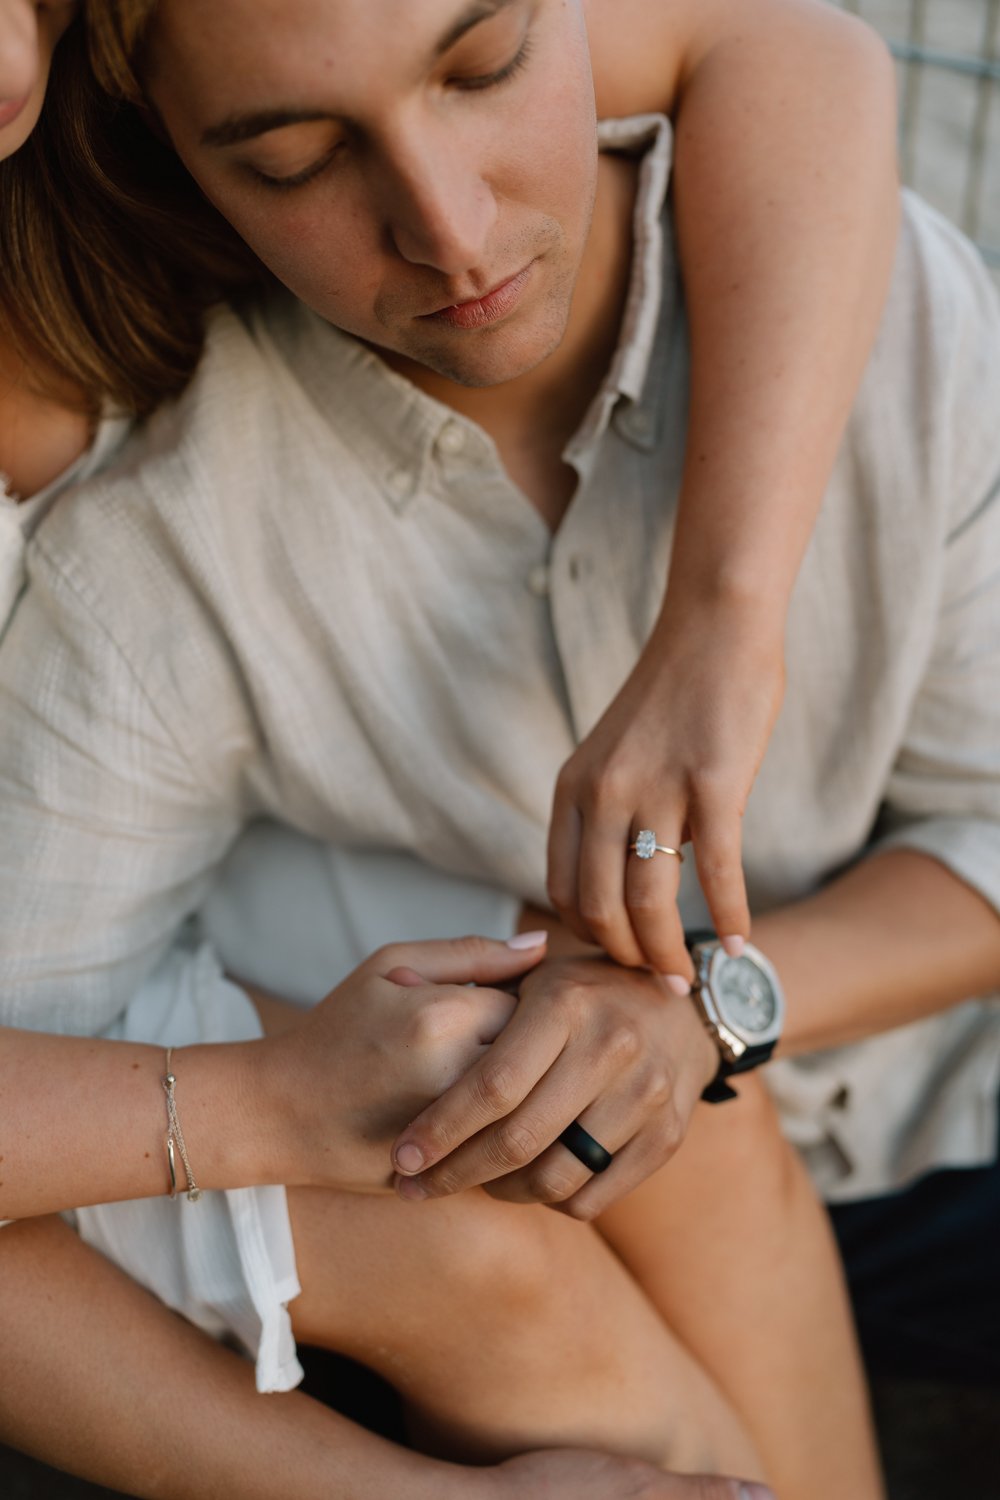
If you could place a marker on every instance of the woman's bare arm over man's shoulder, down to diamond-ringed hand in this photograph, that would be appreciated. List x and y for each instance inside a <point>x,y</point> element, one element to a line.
<point>786,208</point>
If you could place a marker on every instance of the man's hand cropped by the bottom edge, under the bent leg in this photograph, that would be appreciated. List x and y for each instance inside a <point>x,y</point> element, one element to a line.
<point>581,1475</point>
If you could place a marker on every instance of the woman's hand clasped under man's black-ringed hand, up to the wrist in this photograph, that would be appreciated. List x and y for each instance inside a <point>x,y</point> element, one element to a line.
<point>389,1040</point>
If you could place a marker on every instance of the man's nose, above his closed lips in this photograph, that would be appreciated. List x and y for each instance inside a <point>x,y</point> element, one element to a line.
<point>439,208</point>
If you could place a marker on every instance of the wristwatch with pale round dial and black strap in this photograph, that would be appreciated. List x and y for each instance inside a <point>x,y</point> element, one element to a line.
<point>741,1004</point>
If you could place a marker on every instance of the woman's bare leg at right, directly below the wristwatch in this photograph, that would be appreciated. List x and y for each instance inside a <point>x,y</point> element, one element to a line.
<point>734,1249</point>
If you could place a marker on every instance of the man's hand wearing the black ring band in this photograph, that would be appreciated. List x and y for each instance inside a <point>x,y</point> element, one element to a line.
<point>590,1042</point>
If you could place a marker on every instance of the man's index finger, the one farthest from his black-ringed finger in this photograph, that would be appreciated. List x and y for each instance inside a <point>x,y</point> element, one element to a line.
<point>490,1091</point>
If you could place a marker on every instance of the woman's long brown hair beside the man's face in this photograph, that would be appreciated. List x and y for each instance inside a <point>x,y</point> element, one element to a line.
<point>112,256</point>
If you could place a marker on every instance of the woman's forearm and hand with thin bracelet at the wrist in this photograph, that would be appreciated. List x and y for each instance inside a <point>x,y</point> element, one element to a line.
<point>85,1120</point>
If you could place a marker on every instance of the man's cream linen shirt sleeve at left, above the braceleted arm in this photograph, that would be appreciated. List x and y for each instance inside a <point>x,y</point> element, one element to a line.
<point>110,827</point>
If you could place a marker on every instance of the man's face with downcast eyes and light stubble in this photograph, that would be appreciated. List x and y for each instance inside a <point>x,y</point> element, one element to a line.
<point>419,172</point>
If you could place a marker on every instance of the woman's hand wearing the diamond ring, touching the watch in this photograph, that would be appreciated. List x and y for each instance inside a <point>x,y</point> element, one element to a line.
<point>677,752</point>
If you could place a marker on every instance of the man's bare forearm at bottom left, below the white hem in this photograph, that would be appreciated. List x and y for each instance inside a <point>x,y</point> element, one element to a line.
<point>101,1379</point>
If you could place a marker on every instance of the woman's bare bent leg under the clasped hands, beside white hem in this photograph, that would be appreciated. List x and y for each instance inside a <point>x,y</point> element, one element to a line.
<point>506,1328</point>
